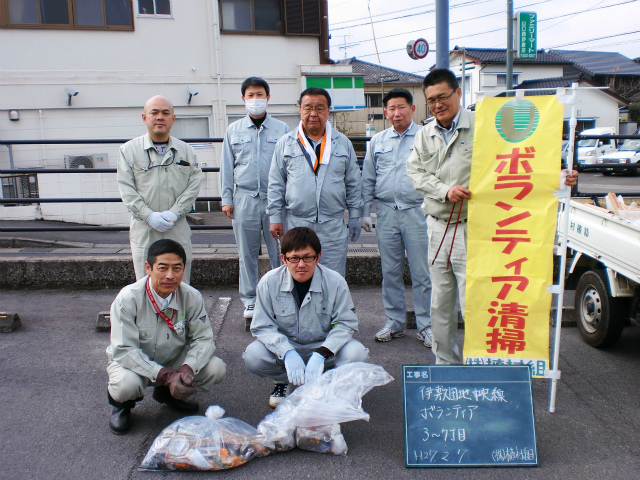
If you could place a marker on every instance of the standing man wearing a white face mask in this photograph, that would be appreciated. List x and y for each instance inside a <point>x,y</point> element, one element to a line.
<point>244,171</point>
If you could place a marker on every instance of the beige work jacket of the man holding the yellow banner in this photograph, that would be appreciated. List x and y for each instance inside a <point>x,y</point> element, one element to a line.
<point>435,166</point>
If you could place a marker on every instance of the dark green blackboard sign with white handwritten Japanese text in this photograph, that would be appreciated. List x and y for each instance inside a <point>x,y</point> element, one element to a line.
<point>468,416</point>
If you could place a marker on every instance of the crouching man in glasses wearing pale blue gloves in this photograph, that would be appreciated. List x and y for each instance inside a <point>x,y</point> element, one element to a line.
<point>304,318</point>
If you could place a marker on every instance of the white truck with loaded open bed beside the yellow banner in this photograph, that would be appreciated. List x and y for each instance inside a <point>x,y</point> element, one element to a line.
<point>603,265</point>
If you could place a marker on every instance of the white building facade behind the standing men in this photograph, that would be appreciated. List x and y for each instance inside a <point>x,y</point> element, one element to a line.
<point>83,70</point>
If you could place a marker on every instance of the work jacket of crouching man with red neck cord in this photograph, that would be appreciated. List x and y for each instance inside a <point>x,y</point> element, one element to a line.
<point>142,342</point>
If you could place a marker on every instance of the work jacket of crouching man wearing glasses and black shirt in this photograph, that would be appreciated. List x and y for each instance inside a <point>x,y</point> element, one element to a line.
<point>326,317</point>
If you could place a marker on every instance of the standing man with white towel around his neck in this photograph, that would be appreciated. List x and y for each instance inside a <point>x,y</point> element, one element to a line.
<point>313,178</point>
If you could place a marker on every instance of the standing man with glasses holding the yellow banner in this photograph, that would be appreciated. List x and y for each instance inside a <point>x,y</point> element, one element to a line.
<point>440,169</point>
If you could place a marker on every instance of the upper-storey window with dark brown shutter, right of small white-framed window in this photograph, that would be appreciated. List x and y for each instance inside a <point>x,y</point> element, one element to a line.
<point>288,17</point>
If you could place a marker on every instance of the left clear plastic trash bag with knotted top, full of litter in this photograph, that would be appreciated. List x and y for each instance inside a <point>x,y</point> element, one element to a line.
<point>203,443</point>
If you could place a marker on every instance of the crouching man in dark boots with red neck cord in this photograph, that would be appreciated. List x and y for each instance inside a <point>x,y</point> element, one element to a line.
<point>160,336</point>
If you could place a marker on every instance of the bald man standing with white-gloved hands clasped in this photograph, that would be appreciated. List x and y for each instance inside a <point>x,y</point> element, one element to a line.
<point>159,181</point>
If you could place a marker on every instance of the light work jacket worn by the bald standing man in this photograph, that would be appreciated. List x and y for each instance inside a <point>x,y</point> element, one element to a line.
<point>150,183</point>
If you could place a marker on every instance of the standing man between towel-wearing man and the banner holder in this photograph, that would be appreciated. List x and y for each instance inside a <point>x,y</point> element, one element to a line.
<point>401,223</point>
